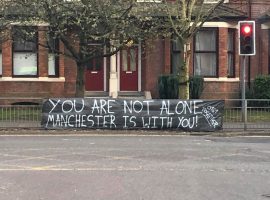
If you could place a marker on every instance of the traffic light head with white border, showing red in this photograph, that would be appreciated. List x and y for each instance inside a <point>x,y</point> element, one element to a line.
<point>246,37</point>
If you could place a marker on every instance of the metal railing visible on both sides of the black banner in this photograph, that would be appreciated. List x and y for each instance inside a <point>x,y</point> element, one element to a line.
<point>257,115</point>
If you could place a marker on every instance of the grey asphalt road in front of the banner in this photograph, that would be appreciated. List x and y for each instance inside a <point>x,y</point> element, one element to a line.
<point>134,168</point>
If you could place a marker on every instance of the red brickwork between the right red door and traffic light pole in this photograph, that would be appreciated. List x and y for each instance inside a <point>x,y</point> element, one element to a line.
<point>218,88</point>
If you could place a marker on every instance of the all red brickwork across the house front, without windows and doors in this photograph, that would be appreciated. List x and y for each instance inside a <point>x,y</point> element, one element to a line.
<point>155,61</point>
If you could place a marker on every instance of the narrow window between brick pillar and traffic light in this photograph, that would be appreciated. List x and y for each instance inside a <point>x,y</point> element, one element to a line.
<point>231,52</point>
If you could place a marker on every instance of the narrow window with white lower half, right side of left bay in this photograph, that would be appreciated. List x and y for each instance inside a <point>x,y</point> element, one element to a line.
<point>53,58</point>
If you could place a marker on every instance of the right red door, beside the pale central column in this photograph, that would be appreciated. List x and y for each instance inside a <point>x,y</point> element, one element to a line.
<point>129,69</point>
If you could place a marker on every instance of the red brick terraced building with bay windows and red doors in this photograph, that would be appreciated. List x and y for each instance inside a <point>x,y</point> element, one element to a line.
<point>33,71</point>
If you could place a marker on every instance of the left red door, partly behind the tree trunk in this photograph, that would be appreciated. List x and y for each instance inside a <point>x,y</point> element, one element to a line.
<point>94,75</point>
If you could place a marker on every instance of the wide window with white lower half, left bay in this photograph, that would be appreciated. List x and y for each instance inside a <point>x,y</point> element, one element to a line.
<point>25,51</point>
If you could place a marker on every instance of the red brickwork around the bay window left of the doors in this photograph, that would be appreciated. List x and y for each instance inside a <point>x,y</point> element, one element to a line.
<point>42,86</point>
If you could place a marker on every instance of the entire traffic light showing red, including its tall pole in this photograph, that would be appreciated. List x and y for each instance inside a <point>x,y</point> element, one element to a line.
<point>246,48</point>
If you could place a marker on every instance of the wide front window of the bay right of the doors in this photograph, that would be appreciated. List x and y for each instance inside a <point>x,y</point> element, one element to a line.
<point>205,53</point>
